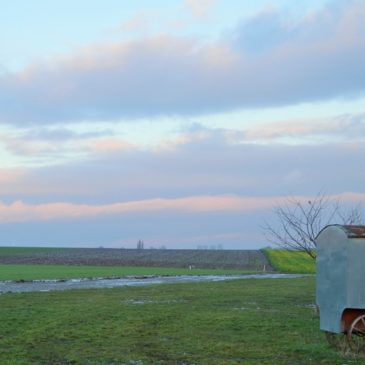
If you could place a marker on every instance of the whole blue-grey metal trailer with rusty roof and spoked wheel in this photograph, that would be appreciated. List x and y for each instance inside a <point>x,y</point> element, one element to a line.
<point>340,289</point>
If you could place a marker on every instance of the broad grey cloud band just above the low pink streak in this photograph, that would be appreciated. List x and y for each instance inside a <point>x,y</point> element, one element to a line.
<point>198,168</point>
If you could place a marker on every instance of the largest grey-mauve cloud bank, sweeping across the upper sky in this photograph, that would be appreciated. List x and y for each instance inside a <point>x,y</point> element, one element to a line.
<point>318,58</point>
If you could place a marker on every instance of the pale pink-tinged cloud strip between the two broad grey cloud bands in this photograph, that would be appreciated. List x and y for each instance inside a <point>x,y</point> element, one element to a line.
<point>39,145</point>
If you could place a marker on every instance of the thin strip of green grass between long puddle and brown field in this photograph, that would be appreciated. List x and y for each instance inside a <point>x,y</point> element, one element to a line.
<point>39,272</point>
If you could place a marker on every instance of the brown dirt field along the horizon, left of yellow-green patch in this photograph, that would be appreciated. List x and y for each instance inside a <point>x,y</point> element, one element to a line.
<point>235,259</point>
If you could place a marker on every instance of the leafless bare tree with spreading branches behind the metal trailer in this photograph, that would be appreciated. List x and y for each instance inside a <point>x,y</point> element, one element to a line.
<point>299,222</point>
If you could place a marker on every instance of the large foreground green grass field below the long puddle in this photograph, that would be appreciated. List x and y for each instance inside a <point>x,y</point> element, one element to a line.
<point>250,322</point>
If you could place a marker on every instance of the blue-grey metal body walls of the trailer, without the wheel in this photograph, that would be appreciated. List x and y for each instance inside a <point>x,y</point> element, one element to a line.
<point>340,273</point>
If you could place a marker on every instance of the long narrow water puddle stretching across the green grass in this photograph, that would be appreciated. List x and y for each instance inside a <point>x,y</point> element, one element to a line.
<point>50,285</point>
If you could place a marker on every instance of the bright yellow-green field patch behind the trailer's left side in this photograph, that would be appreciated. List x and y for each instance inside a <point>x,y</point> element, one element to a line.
<point>290,261</point>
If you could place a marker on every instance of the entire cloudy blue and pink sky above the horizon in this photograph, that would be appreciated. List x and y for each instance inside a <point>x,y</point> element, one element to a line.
<point>181,123</point>
